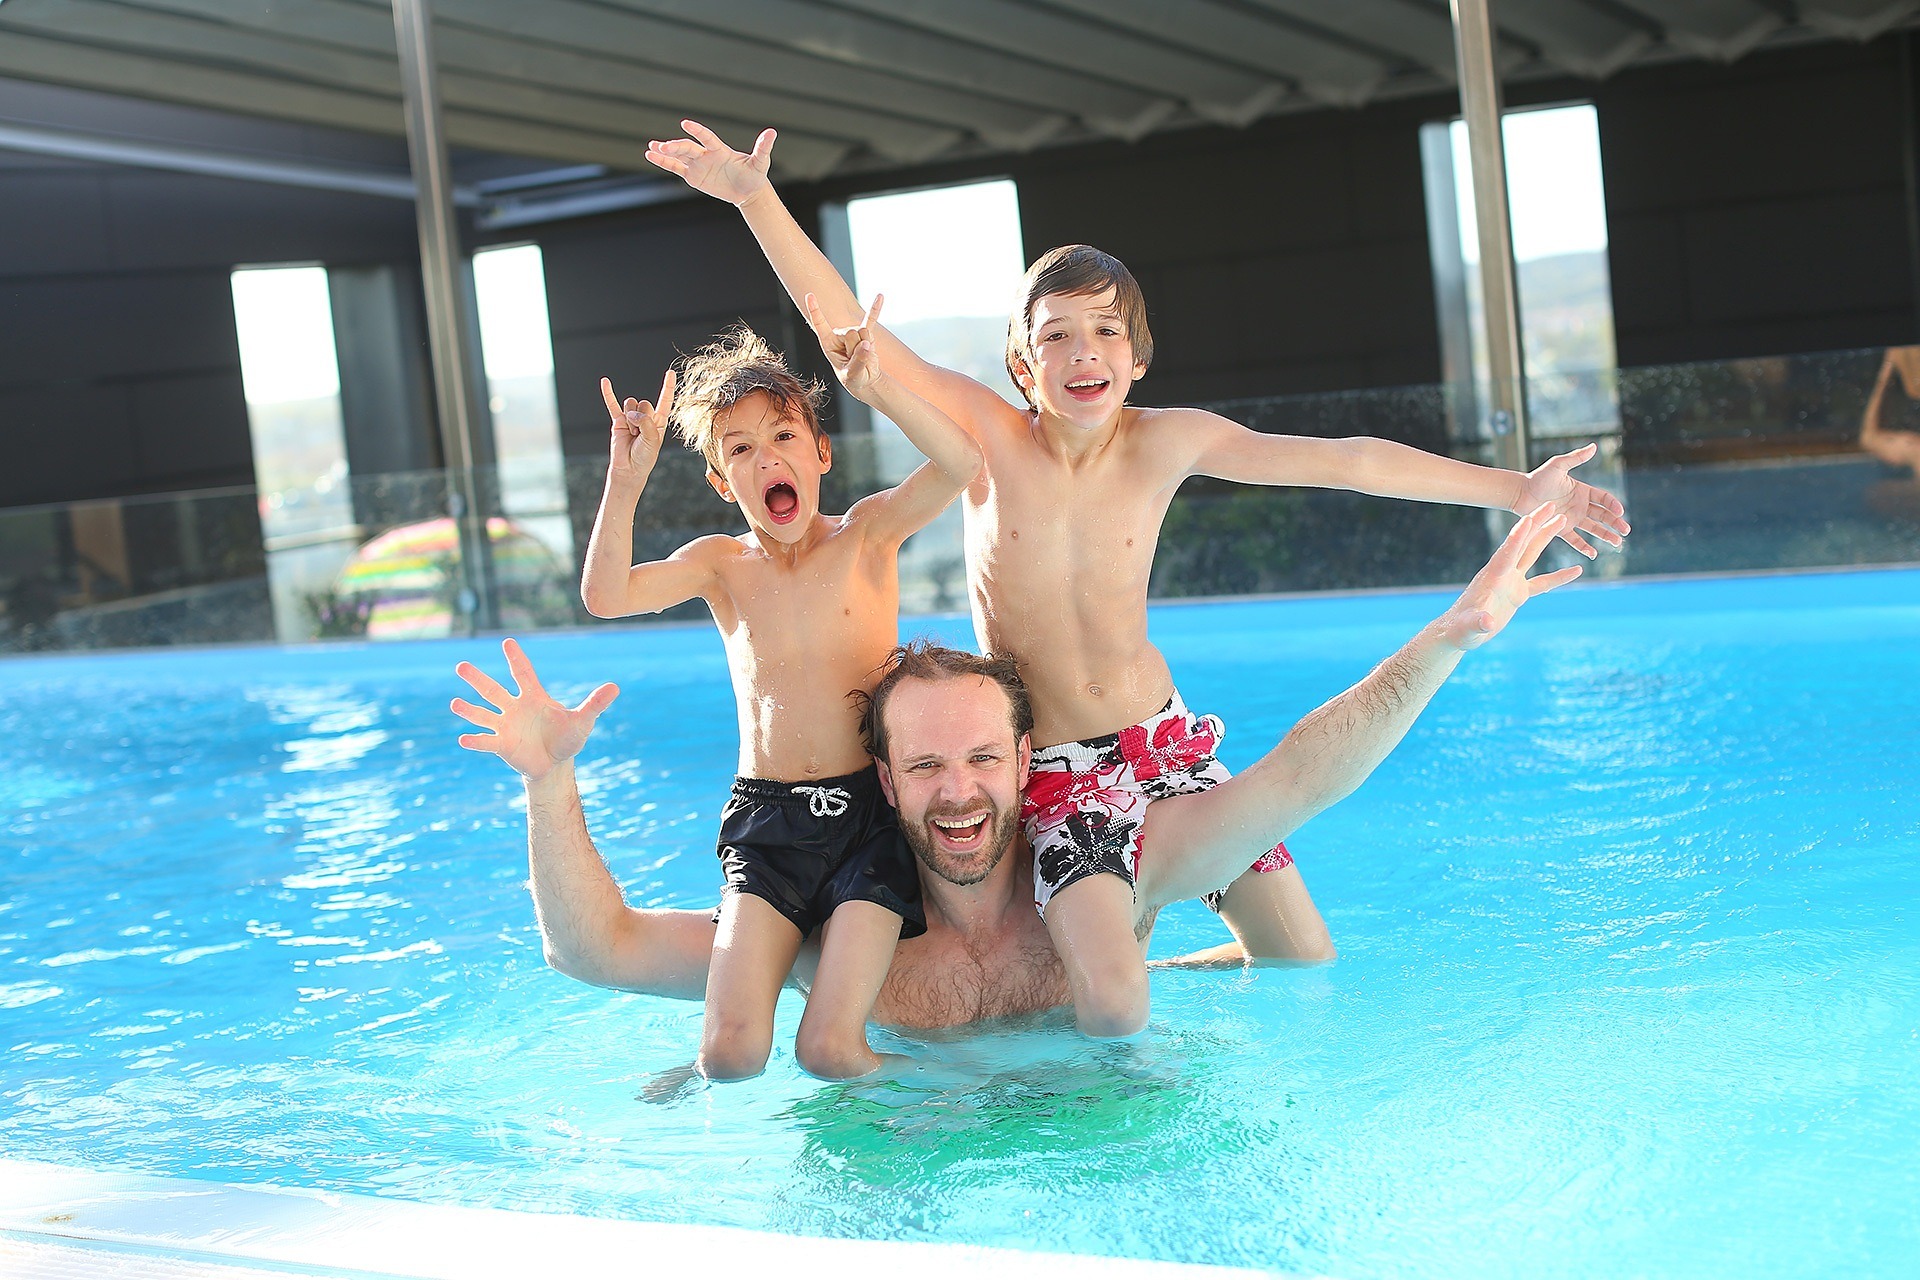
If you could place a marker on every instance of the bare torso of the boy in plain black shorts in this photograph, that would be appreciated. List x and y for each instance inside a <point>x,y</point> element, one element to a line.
<point>804,628</point>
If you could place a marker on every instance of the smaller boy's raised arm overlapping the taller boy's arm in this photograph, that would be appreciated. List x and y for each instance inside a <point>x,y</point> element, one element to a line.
<point>953,458</point>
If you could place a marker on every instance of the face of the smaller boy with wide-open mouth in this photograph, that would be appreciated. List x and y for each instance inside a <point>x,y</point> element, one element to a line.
<point>771,465</point>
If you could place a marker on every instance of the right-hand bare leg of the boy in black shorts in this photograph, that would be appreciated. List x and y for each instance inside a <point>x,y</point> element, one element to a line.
<point>855,953</point>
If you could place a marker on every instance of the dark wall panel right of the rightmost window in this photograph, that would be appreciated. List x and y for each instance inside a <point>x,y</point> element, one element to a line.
<point>1760,208</point>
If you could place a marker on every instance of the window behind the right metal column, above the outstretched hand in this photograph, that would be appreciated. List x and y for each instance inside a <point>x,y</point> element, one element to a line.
<point>1560,247</point>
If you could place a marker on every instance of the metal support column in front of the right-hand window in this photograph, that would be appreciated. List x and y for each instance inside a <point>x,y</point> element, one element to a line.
<point>1479,99</point>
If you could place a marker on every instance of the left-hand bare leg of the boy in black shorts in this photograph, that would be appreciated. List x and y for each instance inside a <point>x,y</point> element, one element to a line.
<point>754,955</point>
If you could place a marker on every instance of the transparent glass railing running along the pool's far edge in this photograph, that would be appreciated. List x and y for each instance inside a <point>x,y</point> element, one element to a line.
<point>1723,467</point>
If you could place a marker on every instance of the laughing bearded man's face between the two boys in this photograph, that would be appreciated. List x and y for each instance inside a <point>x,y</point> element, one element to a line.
<point>955,774</point>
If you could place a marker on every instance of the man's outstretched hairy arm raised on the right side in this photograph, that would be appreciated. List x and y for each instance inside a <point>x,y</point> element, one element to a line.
<point>1201,843</point>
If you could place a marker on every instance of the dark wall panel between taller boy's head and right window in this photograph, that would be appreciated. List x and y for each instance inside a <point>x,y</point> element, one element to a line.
<point>1282,258</point>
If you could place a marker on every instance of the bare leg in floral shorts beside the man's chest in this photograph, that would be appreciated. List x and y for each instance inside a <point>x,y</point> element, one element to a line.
<point>1092,926</point>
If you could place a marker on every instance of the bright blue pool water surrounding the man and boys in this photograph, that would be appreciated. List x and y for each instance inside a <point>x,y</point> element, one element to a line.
<point>1629,982</point>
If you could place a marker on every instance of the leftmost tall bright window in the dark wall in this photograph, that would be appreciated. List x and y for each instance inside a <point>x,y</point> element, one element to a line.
<point>300,458</point>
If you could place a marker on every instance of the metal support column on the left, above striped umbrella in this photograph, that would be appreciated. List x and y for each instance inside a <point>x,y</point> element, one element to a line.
<point>446,321</point>
